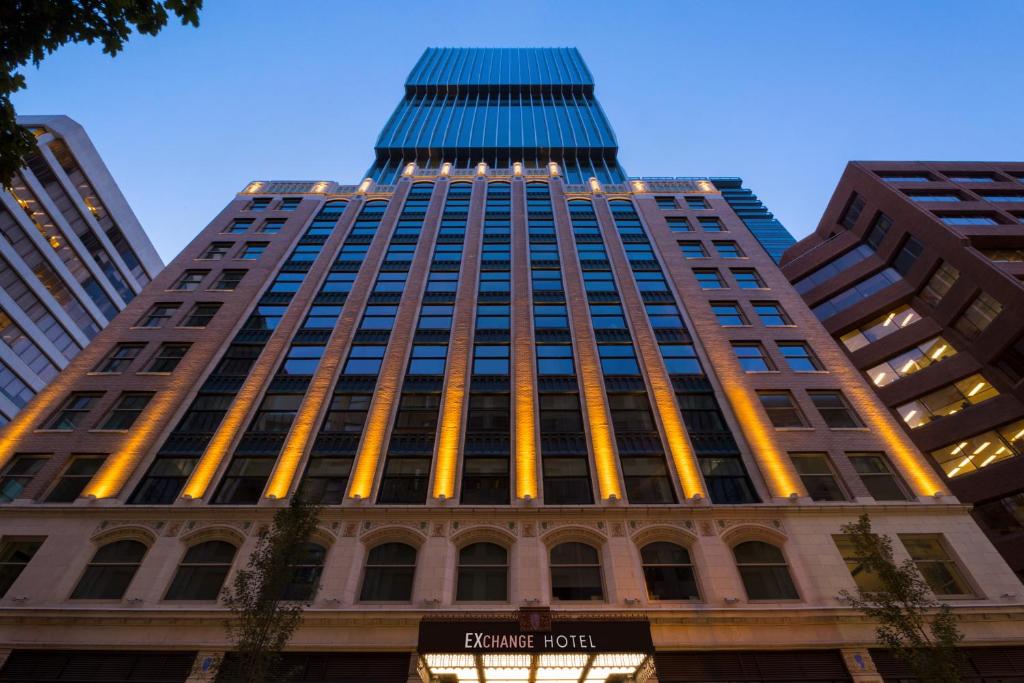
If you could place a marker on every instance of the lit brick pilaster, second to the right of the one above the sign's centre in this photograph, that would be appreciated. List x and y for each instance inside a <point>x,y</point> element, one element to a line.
<point>664,397</point>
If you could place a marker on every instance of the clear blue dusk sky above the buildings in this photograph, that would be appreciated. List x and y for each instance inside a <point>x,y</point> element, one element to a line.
<point>781,94</point>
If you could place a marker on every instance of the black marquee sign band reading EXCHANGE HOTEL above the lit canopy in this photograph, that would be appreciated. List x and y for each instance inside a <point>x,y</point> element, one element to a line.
<point>509,636</point>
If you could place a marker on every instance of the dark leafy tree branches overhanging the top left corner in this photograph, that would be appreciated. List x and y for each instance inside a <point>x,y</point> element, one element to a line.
<point>34,29</point>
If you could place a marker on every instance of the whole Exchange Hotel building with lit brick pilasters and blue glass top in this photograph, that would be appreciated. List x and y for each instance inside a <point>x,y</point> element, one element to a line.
<point>565,426</point>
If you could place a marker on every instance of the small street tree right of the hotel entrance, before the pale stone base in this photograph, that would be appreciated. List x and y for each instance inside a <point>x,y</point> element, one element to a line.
<point>919,629</point>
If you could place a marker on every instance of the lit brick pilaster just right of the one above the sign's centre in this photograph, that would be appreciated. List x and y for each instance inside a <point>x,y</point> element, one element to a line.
<point>591,377</point>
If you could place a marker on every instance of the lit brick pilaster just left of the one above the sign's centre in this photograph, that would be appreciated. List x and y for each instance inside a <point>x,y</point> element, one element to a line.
<point>460,348</point>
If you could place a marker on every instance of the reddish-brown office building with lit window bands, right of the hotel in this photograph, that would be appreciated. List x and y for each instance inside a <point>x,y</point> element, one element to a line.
<point>916,269</point>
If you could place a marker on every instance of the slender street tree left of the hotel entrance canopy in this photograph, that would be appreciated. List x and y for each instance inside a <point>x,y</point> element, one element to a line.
<point>264,620</point>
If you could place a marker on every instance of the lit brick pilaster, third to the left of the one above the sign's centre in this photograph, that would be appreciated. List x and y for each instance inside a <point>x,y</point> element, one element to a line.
<point>327,372</point>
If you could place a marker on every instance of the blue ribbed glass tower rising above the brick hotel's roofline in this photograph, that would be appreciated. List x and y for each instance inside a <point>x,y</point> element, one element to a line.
<point>467,106</point>
